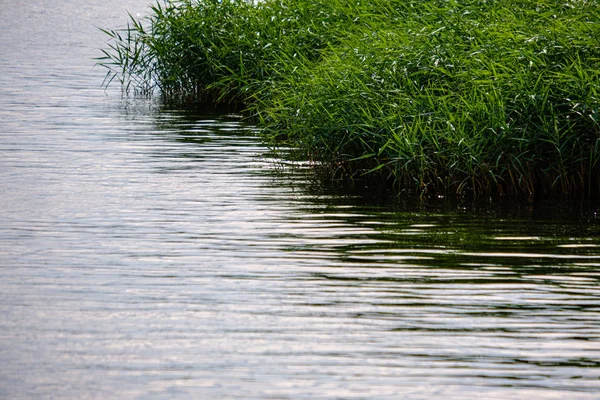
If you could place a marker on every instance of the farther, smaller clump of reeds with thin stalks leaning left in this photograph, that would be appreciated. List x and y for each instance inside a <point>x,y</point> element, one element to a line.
<point>214,51</point>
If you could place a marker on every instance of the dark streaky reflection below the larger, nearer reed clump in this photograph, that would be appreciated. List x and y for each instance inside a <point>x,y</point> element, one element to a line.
<point>506,303</point>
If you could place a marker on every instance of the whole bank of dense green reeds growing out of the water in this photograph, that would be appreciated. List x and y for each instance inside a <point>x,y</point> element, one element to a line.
<point>456,97</point>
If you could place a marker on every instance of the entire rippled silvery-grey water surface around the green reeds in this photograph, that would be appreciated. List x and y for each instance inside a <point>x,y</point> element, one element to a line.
<point>151,253</point>
